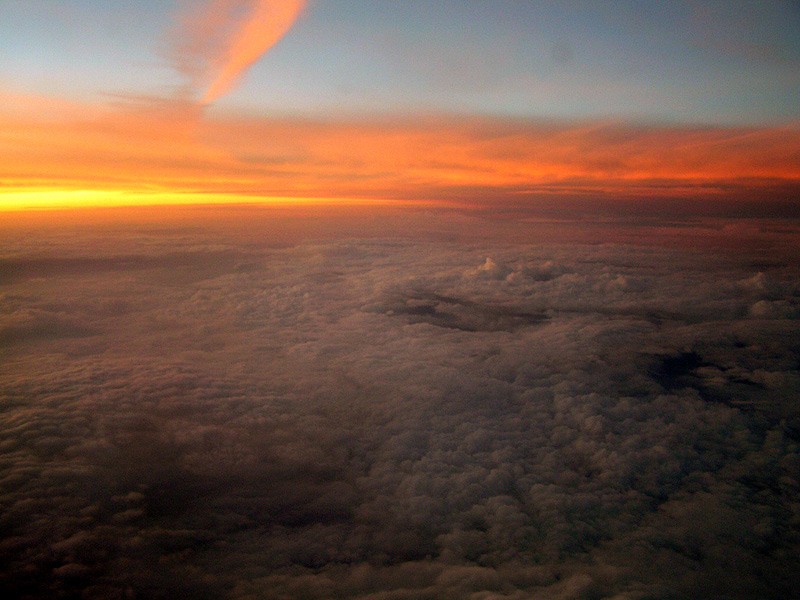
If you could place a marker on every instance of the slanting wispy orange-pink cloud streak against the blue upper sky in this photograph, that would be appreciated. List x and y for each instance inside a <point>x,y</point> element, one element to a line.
<point>217,44</point>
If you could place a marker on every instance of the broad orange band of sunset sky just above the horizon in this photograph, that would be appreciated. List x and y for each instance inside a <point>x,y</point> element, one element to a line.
<point>141,146</point>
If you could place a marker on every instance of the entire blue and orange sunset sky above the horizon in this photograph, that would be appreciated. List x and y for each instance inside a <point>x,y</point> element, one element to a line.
<point>474,102</point>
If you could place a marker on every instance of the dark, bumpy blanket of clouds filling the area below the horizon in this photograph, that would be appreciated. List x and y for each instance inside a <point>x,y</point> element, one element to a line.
<point>199,411</point>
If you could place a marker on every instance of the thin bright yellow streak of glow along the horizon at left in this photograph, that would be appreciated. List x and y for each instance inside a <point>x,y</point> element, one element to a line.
<point>37,199</point>
